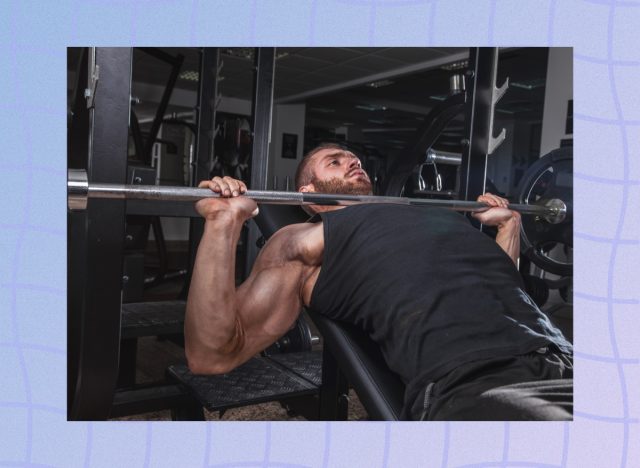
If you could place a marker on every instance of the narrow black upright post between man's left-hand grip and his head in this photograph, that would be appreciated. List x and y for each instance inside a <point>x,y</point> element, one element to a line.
<point>262,108</point>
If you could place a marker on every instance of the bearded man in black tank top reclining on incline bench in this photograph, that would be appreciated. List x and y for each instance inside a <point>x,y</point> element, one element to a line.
<point>444,302</point>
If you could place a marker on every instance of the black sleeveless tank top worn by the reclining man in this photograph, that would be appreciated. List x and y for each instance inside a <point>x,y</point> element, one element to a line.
<point>428,287</point>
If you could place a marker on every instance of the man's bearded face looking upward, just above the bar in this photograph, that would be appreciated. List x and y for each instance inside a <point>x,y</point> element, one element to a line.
<point>338,171</point>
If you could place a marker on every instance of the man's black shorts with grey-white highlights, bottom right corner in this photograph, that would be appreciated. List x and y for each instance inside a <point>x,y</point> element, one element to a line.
<point>537,386</point>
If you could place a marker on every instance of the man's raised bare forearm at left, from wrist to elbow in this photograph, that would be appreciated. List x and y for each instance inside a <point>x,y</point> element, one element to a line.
<point>212,328</point>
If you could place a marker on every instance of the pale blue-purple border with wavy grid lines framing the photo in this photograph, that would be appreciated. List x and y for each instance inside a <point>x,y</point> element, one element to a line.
<point>33,37</point>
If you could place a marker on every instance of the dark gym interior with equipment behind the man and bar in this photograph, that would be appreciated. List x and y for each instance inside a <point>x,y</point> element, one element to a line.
<point>426,123</point>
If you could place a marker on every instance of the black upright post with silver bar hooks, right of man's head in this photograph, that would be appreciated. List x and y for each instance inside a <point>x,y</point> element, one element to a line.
<point>479,141</point>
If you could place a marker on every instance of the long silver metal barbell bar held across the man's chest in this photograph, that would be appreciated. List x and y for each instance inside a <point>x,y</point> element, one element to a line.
<point>79,190</point>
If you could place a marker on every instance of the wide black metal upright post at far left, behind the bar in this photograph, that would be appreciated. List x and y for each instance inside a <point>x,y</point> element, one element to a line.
<point>95,300</point>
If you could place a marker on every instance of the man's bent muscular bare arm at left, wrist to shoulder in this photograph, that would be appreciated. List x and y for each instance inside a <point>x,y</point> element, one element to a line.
<point>224,327</point>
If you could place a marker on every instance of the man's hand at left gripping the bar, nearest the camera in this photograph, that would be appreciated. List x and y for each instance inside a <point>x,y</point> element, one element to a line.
<point>230,205</point>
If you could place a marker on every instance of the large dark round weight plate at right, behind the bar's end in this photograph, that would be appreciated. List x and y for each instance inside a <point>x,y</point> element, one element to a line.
<point>549,246</point>
